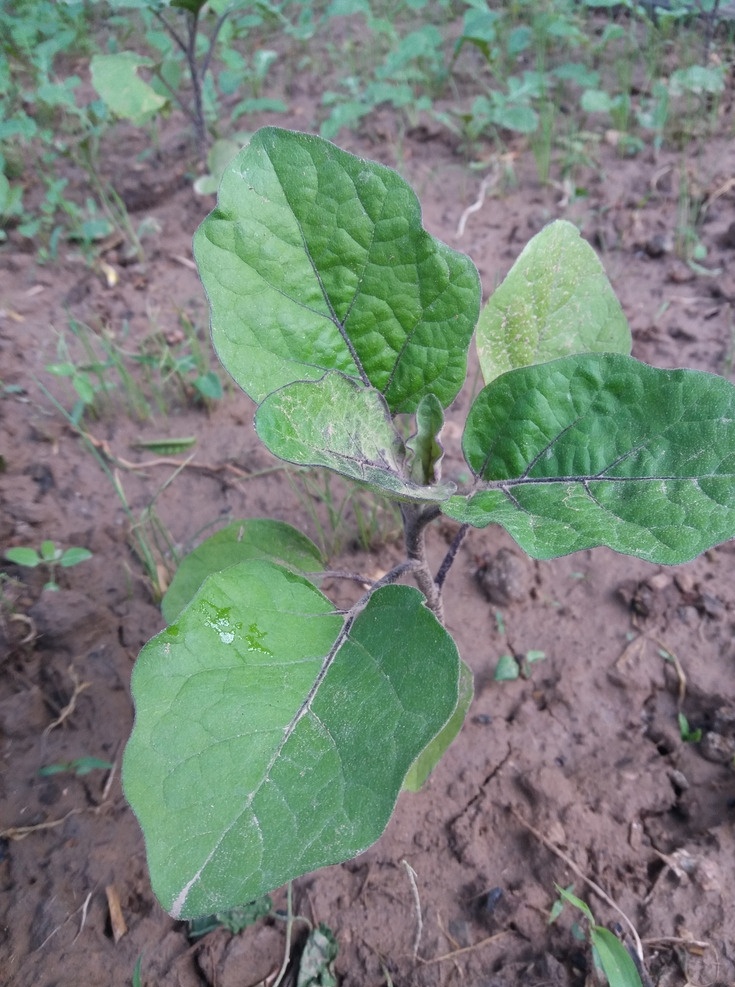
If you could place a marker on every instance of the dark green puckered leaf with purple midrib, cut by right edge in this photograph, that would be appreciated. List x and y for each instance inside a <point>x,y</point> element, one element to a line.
<point>603,450</point>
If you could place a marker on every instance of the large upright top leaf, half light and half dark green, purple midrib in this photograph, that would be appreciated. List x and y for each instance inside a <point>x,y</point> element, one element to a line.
<point>316,260</point>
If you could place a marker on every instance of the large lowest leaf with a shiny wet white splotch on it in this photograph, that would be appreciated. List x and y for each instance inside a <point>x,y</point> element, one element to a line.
<point>272,737</point>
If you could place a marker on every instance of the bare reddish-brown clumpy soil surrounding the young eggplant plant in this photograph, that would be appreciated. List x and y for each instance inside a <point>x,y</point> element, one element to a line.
<point>577,769</point>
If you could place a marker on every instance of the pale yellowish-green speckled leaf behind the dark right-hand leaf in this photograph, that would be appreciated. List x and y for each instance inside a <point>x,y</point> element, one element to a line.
<point>555,301</point>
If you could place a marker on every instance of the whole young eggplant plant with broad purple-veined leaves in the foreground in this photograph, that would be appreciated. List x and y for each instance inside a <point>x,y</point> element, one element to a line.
<point>274,732</point>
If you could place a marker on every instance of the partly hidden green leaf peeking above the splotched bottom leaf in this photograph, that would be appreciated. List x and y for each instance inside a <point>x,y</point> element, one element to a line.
<point>256,538</point>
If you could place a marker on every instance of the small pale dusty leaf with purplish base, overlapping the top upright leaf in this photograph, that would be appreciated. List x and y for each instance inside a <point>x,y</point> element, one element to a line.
<point>340,424</point>
